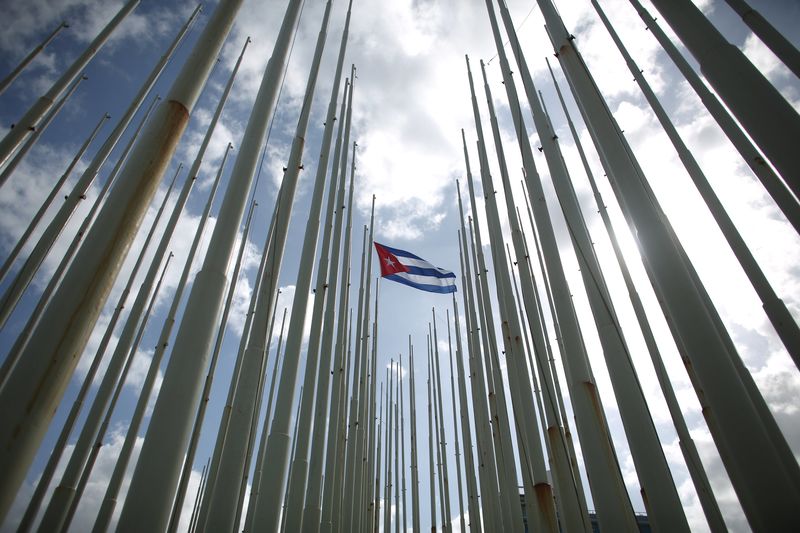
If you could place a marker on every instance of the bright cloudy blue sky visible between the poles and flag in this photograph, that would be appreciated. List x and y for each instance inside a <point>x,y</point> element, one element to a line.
<point>411,100</point>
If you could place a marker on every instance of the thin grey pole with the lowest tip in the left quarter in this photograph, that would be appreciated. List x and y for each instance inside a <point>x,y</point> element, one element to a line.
<point>98,444</point>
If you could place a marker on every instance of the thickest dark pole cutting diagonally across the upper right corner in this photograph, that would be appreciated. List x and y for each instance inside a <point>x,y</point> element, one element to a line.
<point>773,123</point>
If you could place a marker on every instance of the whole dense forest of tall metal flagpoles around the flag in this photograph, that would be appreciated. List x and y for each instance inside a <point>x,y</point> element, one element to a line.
<point>342,467</point>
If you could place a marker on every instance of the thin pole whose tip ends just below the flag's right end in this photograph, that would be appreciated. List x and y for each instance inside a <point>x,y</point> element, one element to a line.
<point>473,506</point>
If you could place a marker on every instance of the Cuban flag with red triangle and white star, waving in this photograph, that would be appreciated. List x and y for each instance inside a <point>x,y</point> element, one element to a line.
<point>409,269</point>
